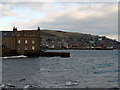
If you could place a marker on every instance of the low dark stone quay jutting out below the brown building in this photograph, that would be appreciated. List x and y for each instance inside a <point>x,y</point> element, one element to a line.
<point>7,52</point>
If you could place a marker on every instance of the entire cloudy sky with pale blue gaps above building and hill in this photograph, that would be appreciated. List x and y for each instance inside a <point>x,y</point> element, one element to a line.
<point>96,18</point>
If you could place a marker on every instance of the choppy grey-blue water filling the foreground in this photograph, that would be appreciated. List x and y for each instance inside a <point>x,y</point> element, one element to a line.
<point>84,68</point>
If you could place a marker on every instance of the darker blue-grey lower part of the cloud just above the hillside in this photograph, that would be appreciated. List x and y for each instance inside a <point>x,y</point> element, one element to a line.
<point>107,24</point>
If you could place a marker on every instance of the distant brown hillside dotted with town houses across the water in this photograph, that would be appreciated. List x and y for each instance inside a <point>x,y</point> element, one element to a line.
<point>54,37</point>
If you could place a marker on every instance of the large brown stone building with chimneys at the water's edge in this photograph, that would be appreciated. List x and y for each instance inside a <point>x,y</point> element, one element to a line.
<point>22,41</point>
